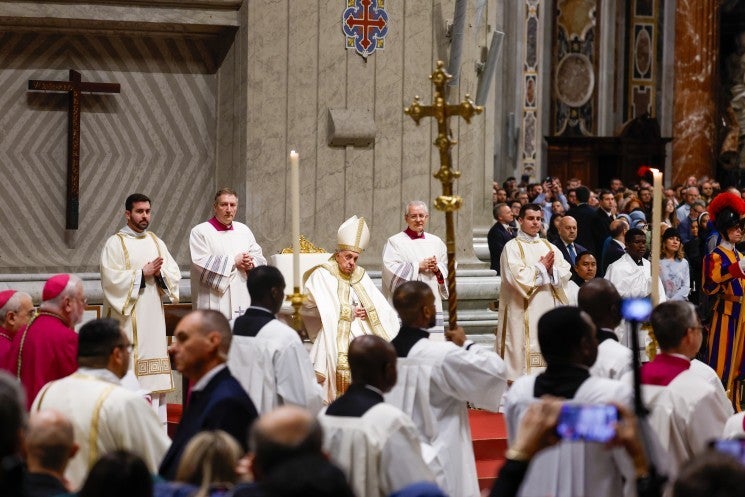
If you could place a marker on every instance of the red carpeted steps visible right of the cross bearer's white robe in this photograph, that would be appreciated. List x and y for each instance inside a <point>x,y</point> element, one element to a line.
<point>489,435</point>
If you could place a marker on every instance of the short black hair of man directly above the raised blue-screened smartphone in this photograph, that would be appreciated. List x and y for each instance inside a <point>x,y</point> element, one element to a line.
<point>560,332</point>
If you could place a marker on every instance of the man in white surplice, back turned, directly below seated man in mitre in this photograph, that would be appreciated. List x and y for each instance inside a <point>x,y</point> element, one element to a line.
<point>376,444</point>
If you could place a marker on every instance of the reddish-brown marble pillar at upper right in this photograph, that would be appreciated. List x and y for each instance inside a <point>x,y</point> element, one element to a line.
<point>695,101</point>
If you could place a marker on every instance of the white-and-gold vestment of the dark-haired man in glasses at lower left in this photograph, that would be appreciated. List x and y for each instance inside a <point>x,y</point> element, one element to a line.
<point>105,417</point>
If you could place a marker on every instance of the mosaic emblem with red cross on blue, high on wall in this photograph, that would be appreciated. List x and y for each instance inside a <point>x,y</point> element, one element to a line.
<point>365,25</point>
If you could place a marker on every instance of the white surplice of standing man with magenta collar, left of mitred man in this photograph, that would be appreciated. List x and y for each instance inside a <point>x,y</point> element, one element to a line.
<point>215,281</point>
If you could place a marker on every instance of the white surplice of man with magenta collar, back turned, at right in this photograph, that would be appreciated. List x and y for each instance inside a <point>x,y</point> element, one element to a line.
<point>686,414</point>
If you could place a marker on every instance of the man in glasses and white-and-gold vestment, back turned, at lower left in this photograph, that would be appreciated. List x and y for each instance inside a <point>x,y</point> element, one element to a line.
<point>106,416</point>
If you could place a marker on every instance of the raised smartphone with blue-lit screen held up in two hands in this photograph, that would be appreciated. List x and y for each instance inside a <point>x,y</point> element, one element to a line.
<point>591,423</point>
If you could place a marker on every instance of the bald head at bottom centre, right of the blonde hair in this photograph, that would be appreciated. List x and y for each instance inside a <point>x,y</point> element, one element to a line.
<point>283,434</point>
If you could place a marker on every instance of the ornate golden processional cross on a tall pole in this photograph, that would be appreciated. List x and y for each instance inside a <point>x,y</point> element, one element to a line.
<point>446,202</point>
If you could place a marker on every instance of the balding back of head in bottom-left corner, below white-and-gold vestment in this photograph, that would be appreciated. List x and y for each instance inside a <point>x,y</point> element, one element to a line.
<point>50,441</point>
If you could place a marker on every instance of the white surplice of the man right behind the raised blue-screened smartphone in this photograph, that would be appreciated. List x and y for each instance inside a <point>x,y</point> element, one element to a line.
<point>573,469</point>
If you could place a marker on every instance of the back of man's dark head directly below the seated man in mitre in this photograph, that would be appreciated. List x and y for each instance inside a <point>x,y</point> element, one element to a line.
<point>372,361</point>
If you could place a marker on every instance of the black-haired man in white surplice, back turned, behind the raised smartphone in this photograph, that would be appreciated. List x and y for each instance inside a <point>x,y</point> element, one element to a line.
<point>570,469</point>
